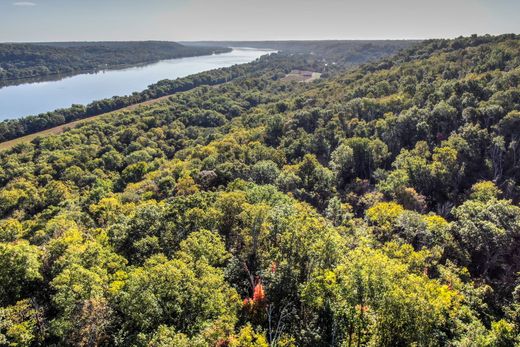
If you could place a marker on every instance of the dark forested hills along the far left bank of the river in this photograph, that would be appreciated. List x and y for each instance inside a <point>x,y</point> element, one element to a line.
<point>29,60</point>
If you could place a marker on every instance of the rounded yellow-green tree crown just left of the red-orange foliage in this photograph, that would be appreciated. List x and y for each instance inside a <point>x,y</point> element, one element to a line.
<point>183,296</point>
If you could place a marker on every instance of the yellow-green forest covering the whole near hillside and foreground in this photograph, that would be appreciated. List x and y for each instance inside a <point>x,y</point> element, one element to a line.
<point>376,207</point>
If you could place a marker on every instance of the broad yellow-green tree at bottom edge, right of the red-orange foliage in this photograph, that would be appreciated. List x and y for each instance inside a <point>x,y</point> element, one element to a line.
<point>377,300</point>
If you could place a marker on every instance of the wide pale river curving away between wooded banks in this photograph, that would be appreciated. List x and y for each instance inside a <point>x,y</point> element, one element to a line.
<point>38,97</point>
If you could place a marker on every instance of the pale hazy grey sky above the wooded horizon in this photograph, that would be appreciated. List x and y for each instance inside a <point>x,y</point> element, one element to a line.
<point>191,20</point>
